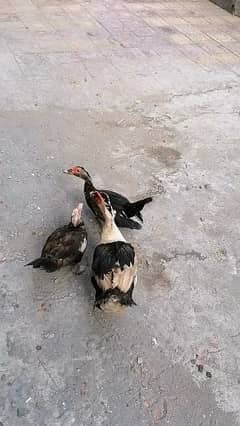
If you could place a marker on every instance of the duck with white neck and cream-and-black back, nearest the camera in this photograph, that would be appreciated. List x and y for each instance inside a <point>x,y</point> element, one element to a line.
<point>114,263</point>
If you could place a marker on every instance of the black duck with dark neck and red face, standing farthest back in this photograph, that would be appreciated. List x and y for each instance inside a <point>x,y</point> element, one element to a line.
<point>123,207</point>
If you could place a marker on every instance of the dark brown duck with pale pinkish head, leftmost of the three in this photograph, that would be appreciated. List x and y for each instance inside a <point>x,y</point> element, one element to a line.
<point>65,246</point>
